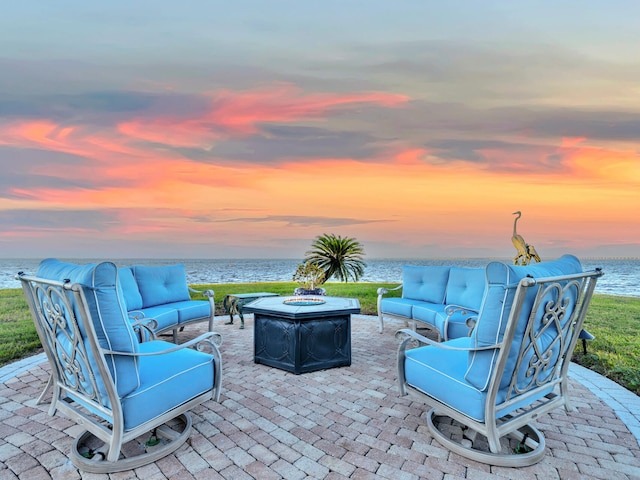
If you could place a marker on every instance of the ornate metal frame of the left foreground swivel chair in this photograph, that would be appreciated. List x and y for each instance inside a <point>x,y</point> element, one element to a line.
<point>82,384</point>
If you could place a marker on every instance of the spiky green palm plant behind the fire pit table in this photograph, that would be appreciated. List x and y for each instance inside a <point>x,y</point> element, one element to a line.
<point>337,256</point>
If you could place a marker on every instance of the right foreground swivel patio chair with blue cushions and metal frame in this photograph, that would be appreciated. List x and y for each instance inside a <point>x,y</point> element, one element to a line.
<point>486,390</point>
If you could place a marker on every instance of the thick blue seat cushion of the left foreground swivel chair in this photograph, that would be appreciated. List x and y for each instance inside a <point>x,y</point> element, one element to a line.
<point>167,380</point>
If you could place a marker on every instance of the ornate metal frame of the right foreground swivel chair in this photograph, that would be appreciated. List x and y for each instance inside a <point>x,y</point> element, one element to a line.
<point>544,370</point>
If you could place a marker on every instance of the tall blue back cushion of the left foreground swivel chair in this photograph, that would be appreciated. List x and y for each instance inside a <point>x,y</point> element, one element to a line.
<point>108,312</point>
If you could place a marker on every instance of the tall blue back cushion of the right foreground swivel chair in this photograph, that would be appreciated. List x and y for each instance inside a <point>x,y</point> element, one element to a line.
<point>502,282</point>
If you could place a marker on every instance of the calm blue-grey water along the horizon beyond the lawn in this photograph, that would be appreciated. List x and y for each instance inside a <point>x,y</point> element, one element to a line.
<point>622,276</point>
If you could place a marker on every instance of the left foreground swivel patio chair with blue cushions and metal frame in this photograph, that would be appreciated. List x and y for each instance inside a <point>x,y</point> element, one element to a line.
<point>133,398</point>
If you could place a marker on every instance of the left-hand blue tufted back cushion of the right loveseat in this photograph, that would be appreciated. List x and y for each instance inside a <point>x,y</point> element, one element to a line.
<point>428,284</point>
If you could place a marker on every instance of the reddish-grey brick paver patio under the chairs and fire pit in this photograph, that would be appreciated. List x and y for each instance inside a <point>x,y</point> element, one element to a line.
<point>340,423</point>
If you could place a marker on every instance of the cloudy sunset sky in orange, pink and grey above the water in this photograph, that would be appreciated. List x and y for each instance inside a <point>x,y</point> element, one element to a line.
<point>217,129</point>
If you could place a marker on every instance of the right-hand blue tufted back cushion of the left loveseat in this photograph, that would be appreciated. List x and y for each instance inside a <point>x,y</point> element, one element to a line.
<point>160,285</point>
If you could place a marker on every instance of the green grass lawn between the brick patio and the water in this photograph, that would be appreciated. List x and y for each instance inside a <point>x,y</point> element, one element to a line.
<point>613,320</point>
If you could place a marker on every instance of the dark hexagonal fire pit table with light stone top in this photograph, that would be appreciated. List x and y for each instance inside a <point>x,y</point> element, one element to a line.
<point>302,334</point>
